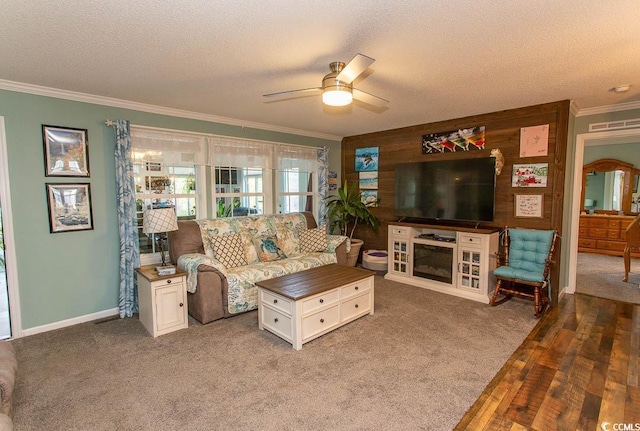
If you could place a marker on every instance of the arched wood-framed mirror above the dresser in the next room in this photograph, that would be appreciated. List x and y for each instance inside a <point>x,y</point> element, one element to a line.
<point>610,186</point>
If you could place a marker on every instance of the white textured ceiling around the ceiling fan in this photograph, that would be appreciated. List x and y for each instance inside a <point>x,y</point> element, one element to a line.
<point>435,60</point>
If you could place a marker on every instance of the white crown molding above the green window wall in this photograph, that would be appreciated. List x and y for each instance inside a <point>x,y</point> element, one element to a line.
<point>153,109</point>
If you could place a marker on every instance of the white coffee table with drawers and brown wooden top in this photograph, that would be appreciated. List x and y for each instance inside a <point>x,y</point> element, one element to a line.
<point>303,306</point>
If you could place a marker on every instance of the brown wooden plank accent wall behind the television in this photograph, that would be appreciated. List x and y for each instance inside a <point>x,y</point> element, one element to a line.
<point>503,132</point>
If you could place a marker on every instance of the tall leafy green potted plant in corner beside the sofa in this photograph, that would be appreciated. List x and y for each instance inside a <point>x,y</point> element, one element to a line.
<point>345,211</point>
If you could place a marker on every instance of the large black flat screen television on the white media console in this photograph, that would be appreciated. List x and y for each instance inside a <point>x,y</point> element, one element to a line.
<point>448,190</point>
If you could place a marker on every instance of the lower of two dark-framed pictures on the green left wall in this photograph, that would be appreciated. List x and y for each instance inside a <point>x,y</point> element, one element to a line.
<point>69,207</point>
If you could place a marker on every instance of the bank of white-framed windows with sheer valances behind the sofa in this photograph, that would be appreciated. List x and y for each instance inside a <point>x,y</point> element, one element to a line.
<point>204,176</point>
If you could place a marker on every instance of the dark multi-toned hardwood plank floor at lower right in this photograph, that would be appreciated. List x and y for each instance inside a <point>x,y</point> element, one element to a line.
<point>579,368</point>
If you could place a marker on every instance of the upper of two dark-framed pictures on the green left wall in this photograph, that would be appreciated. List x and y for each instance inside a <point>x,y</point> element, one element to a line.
<point>66,152</point>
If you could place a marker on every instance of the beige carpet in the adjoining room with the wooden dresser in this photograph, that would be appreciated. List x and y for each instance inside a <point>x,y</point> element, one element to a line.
<point>601,275</point>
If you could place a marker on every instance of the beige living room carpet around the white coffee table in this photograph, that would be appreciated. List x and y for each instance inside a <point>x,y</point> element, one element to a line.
<point>417,364</point>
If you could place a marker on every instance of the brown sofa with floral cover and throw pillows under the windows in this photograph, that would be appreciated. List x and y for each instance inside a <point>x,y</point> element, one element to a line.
<point>224,257</point>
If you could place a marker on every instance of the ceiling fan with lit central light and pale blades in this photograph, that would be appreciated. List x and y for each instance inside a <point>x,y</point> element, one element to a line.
<point>337,88</point>
